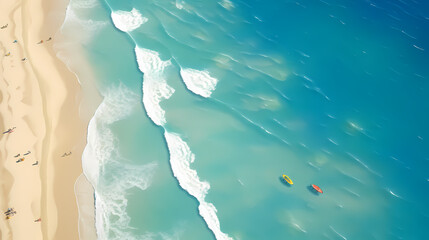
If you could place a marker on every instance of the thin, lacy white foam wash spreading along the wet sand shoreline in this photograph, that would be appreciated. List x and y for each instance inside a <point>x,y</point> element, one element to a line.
<point>104,167</point>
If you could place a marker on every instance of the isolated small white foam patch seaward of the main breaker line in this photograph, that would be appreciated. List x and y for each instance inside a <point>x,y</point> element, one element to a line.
<point>199,82</point>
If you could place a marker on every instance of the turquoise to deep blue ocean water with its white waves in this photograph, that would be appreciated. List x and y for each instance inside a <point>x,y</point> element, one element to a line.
<point>207,103</point>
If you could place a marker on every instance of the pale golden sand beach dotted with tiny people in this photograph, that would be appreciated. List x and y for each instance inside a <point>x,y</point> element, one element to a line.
<point>39,97</point>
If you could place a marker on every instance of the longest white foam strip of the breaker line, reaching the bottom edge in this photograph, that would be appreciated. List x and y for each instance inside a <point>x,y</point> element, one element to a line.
<point>180,159</point>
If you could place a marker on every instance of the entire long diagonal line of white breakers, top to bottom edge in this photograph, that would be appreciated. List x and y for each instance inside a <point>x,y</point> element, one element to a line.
<point>155,89</point>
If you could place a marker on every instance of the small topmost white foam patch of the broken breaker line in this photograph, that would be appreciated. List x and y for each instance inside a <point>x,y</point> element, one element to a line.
<point>128,21</point>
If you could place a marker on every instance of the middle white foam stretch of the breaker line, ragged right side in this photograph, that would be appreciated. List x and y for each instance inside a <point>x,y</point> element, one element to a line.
<point>155,87</point>
